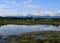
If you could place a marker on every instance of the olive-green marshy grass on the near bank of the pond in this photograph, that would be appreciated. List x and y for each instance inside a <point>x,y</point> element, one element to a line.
<point>50,37</point>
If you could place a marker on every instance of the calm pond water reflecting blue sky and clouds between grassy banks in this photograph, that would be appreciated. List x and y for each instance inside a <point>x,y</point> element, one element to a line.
<point>18,29</point>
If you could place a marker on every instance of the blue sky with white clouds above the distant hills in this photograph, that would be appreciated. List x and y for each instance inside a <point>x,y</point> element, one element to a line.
<point>29,7</point>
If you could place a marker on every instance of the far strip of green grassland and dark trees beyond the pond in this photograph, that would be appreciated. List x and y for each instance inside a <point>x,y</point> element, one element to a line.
<point>29,21</point>
